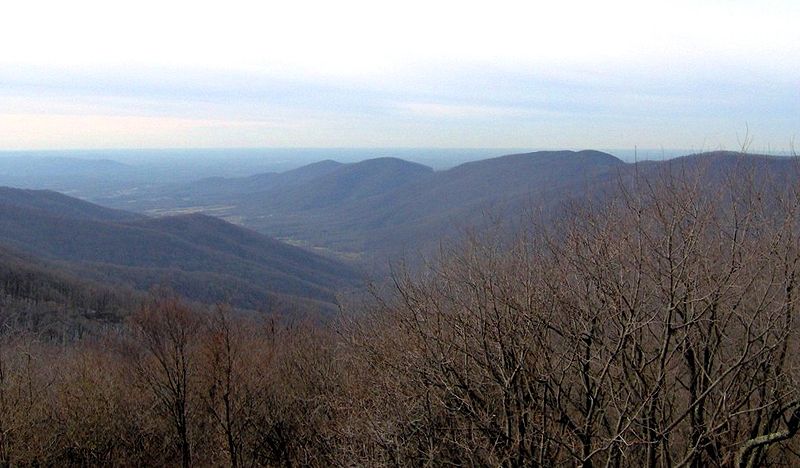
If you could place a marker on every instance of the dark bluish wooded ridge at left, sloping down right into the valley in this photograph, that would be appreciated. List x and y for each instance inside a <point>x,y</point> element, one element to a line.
<point>202,257</point>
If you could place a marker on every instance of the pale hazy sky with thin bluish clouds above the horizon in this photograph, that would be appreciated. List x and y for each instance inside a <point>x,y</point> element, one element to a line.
<point>602,74</point>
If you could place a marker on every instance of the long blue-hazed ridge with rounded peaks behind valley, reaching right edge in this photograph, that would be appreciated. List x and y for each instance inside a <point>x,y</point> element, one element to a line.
<point>375,210</point>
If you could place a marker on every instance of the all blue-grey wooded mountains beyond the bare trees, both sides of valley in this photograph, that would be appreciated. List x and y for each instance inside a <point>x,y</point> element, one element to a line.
<point>294,239</point>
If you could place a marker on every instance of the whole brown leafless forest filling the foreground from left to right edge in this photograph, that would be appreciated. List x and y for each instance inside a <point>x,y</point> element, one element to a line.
<point>651,326</point>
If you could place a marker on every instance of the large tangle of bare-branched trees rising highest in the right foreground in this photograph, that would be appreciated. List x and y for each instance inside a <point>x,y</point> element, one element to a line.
<point>652,327</point>
